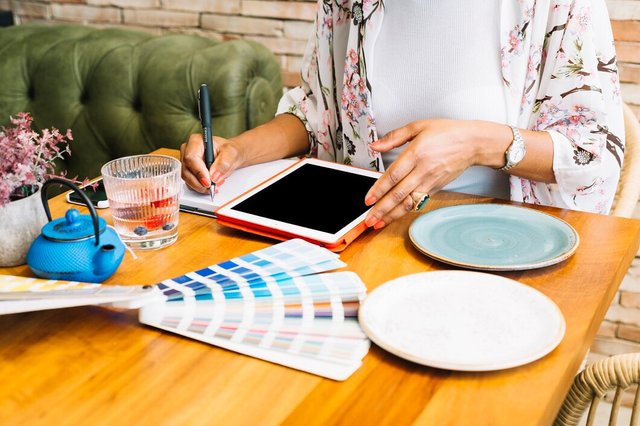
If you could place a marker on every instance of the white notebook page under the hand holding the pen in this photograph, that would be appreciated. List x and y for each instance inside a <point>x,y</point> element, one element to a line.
<point>236,184</point>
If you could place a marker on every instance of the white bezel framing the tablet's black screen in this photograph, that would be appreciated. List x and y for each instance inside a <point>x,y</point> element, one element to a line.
<point>279,227</point>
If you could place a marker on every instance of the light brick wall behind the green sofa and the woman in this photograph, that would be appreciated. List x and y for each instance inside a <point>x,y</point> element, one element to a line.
<point>283,26</point>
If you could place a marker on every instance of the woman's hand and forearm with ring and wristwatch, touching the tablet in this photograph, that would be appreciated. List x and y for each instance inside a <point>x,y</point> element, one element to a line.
<point>439,151</point>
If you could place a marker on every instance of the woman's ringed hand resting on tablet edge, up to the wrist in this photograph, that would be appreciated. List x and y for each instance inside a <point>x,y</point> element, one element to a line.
<point>438,152</point>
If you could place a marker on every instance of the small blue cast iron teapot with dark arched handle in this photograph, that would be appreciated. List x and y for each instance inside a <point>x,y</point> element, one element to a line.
<point>75,247</point>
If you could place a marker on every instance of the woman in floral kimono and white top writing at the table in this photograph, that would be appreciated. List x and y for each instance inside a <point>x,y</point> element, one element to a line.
<point>513,99</point>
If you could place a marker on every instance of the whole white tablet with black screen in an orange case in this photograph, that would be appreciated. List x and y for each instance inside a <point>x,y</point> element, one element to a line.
<point>319,201</point>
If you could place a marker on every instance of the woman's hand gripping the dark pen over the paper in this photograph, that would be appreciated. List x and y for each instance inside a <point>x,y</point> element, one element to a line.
<point>228,157</point>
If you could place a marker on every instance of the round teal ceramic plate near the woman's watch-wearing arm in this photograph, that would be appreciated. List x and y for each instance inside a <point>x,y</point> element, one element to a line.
<point>493,237</point>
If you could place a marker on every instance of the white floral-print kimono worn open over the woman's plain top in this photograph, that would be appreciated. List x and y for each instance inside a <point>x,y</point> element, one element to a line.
<point>559,72</point>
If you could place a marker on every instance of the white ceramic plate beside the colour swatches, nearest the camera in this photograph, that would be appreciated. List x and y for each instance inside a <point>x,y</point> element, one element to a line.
<point>462,320</point>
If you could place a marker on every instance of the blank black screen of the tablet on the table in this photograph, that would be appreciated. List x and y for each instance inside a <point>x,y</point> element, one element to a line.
<point>312,196</point>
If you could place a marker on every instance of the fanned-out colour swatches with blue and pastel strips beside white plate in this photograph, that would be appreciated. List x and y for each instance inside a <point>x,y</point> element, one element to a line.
<point>274,304</point>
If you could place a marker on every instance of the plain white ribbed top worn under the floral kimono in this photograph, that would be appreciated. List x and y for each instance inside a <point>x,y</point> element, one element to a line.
<point>427,48</point>
